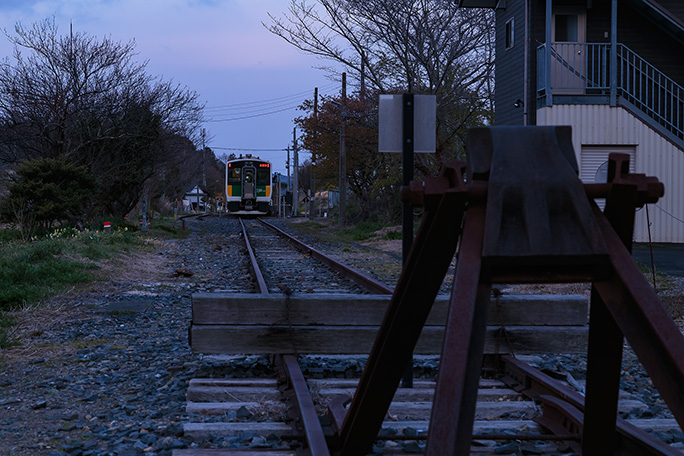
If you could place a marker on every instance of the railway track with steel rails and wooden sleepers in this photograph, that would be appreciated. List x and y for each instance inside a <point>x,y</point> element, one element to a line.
<point>296,413</point>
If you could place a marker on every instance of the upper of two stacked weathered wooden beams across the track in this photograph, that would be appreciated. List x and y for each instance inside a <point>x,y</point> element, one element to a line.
<point>321,310</point>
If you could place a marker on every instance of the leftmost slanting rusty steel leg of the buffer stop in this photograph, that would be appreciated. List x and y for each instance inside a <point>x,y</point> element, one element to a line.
<point>411,302</point>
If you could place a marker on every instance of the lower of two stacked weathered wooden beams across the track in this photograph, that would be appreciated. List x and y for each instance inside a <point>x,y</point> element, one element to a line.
<point>359,339</point>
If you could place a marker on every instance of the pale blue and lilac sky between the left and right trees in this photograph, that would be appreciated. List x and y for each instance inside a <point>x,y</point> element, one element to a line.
<point>217,48</point>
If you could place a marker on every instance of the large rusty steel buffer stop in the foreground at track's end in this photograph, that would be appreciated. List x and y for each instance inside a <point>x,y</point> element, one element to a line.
<point>527,218</point>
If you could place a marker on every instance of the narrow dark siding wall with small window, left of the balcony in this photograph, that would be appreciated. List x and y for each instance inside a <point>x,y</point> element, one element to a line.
<point>509,71</point>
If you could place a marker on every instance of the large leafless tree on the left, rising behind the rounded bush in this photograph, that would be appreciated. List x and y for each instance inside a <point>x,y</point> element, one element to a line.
<point>88,102</point>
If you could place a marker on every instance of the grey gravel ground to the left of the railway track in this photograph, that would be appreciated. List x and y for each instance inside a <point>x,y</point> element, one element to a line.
<point>104,371</point>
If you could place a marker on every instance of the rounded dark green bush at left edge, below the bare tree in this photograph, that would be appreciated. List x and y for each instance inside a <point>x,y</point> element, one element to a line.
<point>46,191</point>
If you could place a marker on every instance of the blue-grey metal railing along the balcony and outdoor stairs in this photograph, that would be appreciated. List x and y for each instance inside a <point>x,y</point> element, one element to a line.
<point>584,69</point>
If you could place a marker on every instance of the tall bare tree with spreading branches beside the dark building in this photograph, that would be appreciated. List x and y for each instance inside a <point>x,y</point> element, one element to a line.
<point>419,46</point>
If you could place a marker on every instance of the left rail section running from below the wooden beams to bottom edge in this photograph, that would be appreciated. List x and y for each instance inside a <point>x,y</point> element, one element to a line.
<point>313,431</point>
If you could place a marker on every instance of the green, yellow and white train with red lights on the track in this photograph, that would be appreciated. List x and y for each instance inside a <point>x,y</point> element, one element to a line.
<point>248,186</point>
